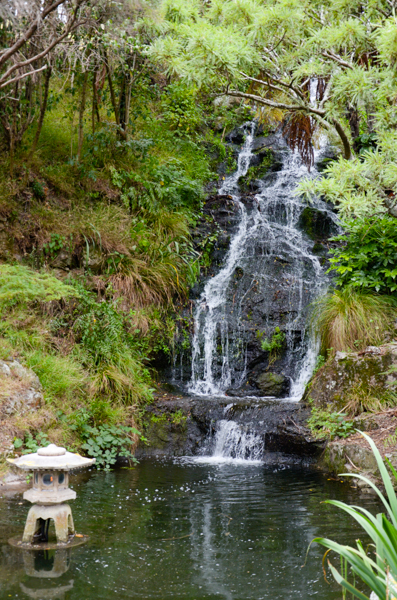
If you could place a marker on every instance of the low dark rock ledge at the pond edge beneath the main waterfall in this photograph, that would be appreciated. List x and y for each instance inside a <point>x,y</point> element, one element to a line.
<point>183,426</point>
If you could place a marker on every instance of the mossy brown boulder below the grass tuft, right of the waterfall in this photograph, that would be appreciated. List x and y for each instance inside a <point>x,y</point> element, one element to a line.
<point>355,376</point>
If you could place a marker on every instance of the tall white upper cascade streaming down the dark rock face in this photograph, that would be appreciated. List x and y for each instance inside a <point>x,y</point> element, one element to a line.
<point>270,274</point>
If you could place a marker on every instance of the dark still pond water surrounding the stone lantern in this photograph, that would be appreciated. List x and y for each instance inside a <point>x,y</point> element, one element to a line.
<point>190,530</point>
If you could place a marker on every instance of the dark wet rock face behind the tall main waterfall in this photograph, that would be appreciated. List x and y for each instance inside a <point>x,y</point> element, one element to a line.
<point>271,283</point>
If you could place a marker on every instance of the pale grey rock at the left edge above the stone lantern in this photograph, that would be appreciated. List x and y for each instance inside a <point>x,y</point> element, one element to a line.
<point>20,393</point>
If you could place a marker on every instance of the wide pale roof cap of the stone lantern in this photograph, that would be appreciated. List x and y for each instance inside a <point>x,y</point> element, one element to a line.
<point>51,457</point>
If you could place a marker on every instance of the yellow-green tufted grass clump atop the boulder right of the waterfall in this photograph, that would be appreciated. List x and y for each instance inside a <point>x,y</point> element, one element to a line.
<point>351,319</point>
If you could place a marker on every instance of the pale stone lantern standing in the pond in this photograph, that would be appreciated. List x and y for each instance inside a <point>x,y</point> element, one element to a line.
<point>50,491</point>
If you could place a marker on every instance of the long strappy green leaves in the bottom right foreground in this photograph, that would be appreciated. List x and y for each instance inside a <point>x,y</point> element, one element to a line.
<point>375,565</point>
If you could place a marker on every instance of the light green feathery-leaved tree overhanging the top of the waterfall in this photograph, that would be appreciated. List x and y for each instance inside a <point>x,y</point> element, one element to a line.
<point>324,64</point>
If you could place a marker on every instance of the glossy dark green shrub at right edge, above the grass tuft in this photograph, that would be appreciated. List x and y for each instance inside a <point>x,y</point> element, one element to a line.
<point>368,257</point>
